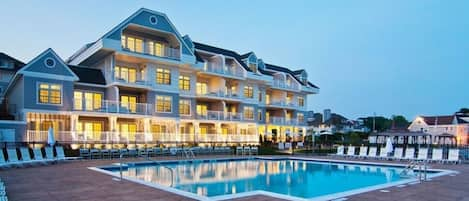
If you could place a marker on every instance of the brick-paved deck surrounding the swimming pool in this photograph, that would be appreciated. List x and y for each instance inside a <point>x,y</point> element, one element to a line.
<point>74,181</point>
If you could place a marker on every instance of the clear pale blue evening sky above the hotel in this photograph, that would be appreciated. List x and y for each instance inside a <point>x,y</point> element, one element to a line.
<point>389,57</point>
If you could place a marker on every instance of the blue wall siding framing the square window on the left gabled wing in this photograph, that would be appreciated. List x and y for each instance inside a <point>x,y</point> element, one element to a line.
<point>32,93</point>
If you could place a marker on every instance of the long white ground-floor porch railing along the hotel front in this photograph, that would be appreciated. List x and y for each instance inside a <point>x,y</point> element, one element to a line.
<point>108,137</point>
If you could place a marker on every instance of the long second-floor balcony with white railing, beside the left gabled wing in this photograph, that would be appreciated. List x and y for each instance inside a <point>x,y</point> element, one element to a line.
<point>109,106</point>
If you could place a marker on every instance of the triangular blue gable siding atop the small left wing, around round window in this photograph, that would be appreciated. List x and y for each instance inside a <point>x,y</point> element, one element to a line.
<point>40,67</point>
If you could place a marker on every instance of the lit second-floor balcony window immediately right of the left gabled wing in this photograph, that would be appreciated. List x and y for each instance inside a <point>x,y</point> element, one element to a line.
<point>92,101</point>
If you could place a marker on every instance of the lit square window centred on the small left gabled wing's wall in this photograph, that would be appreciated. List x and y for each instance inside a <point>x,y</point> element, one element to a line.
<point>50,93</point>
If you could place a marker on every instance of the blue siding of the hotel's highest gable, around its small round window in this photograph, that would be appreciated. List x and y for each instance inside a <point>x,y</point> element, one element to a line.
<point>144,19</point>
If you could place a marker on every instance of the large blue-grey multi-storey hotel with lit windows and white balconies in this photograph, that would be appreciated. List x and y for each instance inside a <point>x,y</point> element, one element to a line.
<point>144,83</point>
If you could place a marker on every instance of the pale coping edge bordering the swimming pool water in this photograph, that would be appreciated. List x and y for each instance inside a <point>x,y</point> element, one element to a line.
<point>441,172</point>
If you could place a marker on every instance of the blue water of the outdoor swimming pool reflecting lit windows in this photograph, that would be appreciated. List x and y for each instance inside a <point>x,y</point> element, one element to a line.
<point>288,178</point>
